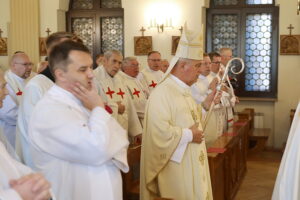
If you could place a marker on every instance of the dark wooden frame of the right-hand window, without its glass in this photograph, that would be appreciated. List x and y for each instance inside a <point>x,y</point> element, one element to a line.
<point>242,9</point>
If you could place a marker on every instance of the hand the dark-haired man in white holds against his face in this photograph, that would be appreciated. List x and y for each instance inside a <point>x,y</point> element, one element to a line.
<point>89,98</point>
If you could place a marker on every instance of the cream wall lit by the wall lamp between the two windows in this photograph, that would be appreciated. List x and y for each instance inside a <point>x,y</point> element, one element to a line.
<point>136,17</point>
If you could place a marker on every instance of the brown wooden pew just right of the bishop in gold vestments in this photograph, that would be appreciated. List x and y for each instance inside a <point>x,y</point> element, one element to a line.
<point>227,169</point>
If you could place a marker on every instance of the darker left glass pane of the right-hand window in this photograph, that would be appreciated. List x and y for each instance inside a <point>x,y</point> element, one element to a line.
<point>225,32</point>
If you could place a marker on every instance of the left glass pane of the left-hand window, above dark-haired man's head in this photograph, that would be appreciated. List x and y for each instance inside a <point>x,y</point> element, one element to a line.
<point>83,27</point>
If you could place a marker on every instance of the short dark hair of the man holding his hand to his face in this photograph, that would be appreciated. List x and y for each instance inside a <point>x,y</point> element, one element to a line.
<point>59,56</point>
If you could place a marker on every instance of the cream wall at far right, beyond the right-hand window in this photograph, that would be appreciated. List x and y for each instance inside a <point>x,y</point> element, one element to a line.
<point>289,74</point>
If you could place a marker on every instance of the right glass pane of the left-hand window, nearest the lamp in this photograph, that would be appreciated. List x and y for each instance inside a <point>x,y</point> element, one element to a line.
<point>112,33</point>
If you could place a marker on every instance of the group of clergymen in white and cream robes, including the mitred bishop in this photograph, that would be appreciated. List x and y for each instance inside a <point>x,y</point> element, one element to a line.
<point>65,131</point>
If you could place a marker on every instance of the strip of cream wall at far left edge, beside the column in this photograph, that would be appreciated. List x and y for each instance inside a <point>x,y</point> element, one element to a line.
<point>4,20</point>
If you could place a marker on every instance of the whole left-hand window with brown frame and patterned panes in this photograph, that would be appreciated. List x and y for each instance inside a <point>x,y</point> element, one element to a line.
<point>99,23</point>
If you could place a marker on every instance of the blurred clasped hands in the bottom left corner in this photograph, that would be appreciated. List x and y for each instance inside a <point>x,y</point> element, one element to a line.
<point>32,187</point>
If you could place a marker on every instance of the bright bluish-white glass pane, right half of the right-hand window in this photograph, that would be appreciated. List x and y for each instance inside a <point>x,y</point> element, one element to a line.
<point>258,52</point>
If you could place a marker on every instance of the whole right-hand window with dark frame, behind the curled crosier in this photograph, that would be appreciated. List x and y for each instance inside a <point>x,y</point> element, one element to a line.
<point>250,28</point>
